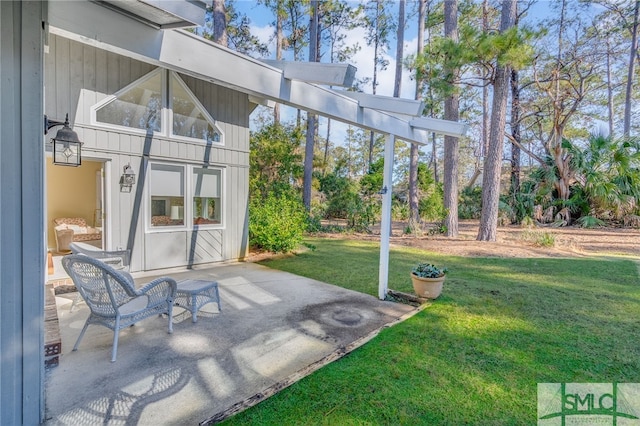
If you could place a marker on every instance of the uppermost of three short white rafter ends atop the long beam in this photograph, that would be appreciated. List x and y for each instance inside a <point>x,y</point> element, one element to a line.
<point>329,74</point>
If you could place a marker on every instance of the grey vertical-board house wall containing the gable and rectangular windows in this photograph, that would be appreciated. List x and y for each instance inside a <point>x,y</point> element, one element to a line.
<point>187,140</point>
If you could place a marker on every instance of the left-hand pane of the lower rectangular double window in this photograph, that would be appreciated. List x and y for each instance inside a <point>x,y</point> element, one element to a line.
<point>166,185</point>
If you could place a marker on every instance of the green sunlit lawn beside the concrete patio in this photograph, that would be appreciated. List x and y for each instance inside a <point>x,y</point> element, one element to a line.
<point>476,354</point>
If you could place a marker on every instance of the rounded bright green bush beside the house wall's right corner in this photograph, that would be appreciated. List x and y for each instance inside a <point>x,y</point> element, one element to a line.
<point>277,223</point>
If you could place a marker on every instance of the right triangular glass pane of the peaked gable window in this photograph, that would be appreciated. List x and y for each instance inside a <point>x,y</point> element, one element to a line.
<point>188,117</point>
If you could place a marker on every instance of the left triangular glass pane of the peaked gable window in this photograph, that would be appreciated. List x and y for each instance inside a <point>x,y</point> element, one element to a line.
<point>139,107</point>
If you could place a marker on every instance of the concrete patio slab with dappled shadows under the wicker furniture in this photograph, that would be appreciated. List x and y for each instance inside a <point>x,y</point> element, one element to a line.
<point>274,326</point>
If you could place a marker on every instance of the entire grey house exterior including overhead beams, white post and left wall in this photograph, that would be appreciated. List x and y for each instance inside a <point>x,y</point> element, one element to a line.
<point>160,102</point>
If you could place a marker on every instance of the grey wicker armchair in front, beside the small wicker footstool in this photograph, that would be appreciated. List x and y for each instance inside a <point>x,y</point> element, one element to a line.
<point>113,299</point>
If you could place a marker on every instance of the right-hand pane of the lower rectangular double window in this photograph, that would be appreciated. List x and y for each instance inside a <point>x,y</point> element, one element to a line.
<point>207,201</point>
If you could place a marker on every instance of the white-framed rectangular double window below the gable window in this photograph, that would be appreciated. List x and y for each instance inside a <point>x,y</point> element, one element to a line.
<point>177,202</point>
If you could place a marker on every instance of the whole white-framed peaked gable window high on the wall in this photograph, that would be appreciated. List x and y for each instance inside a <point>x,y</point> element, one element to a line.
<point>161,102</point>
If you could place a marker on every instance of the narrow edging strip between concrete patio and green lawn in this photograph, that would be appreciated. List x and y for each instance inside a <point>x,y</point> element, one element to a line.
<point>300,374</point>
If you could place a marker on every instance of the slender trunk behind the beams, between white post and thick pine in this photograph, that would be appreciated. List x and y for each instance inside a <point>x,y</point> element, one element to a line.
<point>414,206</point>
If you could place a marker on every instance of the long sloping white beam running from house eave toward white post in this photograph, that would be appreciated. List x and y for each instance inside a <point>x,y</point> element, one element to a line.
<point>185,52</point>
